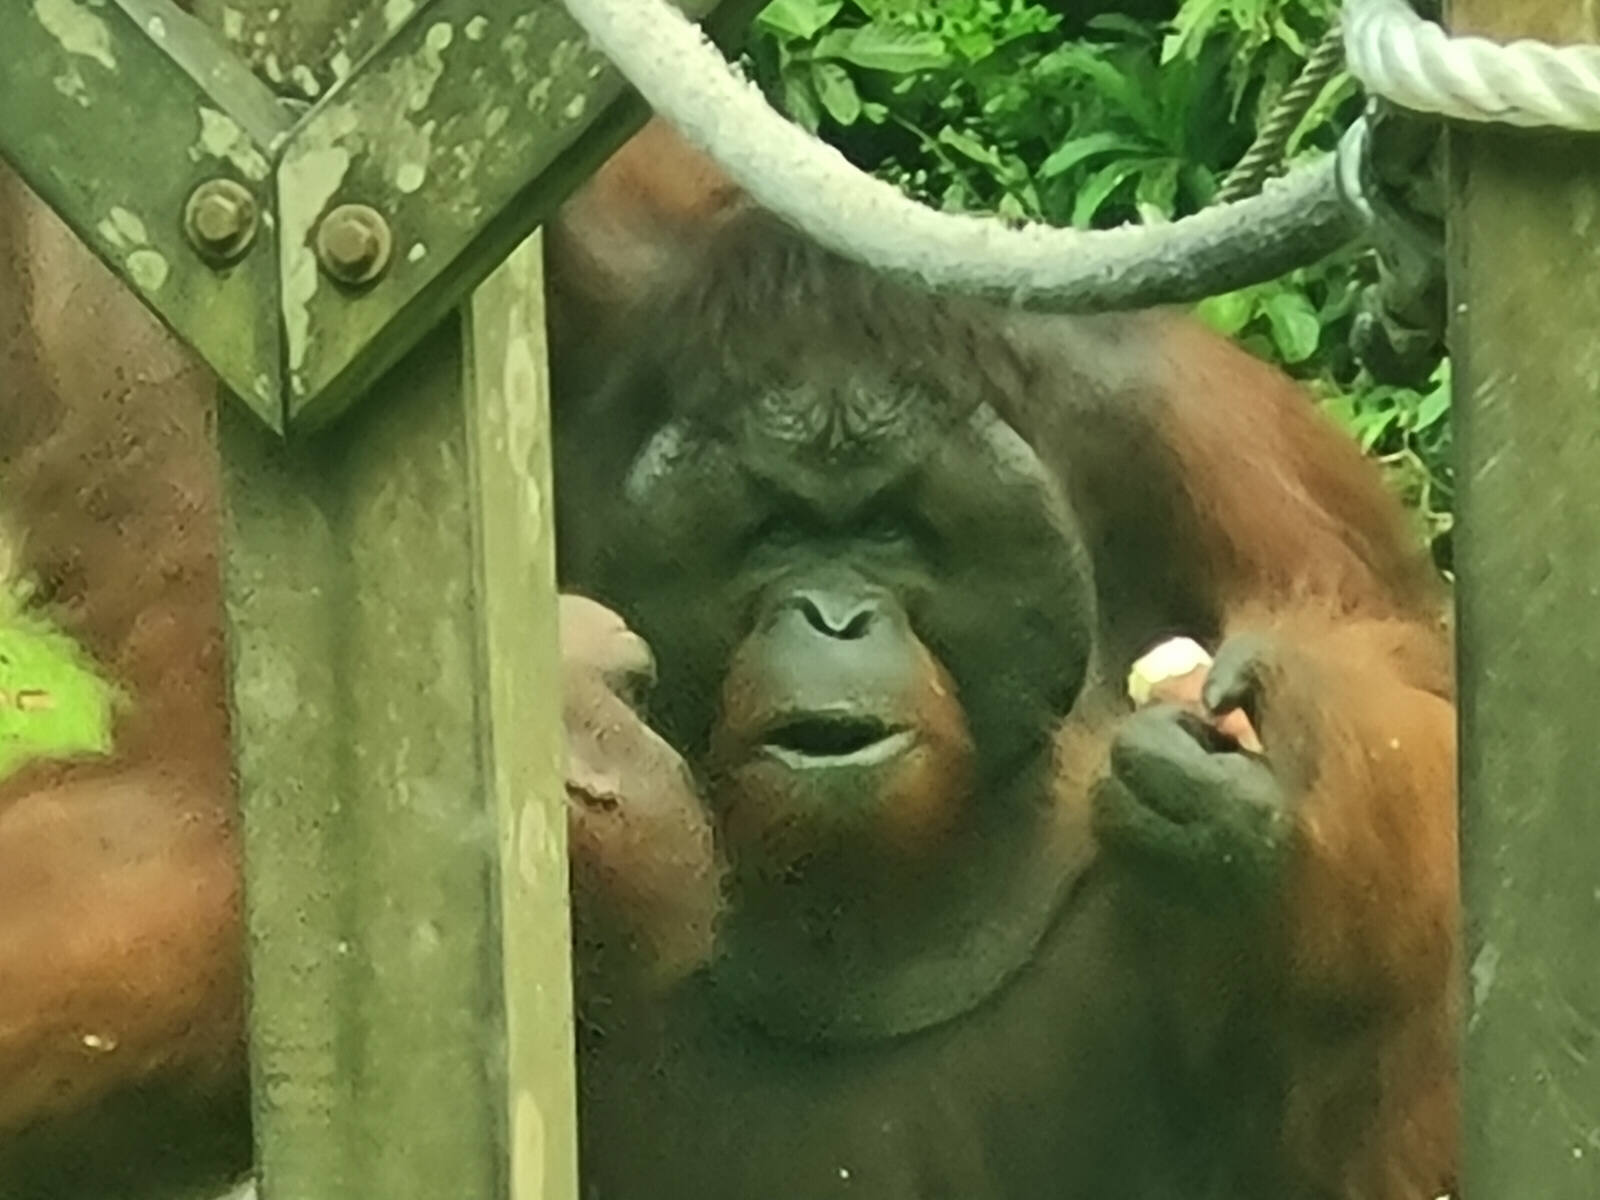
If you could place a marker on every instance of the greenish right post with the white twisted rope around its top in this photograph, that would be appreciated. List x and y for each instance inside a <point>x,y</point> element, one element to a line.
<point>1526,295</point>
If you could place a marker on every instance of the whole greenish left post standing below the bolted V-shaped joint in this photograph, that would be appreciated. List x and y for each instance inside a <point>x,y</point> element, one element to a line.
<point>394,673</point>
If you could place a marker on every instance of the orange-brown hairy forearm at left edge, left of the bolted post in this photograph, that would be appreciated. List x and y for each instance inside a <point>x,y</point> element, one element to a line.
<point>121,943</point>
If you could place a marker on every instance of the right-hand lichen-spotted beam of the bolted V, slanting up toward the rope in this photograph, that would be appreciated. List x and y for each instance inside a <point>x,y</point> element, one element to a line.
<point>441,130</point>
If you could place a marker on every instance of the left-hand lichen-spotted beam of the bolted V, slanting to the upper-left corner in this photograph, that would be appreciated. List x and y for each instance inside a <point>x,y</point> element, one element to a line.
<point>114,114</point>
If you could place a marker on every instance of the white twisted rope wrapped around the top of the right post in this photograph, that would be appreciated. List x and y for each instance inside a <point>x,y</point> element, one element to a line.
<point>1414,63</point>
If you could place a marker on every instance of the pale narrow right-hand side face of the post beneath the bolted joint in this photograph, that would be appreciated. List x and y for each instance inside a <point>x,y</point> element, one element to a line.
<point>506,374</point>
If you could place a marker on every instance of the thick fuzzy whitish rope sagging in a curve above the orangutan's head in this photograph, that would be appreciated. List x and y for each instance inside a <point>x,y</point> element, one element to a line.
<point>807,183</point>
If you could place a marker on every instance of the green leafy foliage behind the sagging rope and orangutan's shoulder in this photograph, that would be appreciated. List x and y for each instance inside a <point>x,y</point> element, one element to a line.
<point>990,106</point>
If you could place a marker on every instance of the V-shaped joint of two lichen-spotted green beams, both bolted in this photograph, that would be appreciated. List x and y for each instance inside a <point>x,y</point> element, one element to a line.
<point>460,124</point>
